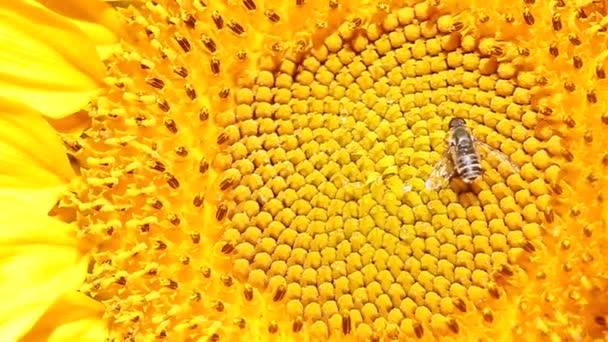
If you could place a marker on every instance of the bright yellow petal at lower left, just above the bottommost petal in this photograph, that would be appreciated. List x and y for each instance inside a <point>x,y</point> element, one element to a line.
<point>39,261</point>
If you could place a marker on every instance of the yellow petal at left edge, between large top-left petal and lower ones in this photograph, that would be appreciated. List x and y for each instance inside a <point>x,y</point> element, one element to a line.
<point>33,163</point>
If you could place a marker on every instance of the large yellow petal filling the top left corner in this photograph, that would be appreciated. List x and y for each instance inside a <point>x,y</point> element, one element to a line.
<point>45,60</point>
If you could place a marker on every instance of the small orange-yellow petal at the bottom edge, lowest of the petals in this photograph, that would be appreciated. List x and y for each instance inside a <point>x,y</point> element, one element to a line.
<point>73,317</point>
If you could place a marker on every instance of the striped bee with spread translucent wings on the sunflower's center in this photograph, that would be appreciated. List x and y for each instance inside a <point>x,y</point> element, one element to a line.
<point>463,157</point>
